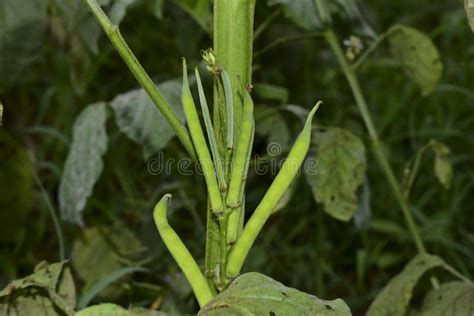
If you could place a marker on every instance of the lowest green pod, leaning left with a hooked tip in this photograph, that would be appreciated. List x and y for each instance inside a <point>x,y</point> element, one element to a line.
<point>180,253</point>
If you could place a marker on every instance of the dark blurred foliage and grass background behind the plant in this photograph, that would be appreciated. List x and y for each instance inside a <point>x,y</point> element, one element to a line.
<point>55,61</point>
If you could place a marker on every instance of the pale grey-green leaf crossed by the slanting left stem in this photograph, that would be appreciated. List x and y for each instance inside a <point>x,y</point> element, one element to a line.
<point>137,116</point>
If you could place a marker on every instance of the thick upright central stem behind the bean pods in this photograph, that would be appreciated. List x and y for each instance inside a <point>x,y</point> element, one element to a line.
<point>233,43</point>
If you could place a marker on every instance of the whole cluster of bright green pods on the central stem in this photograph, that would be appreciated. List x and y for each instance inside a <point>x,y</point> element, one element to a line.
<point>226,191</point>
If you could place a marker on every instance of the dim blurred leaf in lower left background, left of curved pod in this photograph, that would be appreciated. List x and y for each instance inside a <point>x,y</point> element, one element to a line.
<point>99,251</point>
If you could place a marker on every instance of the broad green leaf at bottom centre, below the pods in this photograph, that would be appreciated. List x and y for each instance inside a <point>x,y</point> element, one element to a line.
<point>256,294</point>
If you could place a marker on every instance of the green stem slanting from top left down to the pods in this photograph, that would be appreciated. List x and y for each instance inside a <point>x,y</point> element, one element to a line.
<point>113,33</point>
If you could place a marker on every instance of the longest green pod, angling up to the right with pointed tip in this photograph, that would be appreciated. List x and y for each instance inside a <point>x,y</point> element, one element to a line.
<point>281,183</point>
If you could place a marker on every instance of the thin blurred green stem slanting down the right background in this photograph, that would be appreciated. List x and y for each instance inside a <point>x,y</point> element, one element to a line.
<point>377,146</point>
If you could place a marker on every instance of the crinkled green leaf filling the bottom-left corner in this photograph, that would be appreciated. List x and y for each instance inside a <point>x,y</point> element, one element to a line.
<point>49,290</point>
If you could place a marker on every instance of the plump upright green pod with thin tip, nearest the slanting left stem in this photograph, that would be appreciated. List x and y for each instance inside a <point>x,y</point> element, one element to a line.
<point>197,136</point>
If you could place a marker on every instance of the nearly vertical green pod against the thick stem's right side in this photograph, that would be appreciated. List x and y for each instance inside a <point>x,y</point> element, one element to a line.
<point>242,153</point>
